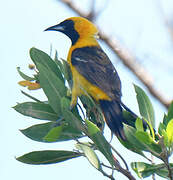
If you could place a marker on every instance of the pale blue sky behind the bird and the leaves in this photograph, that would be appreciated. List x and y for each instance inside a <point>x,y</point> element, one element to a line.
<point>137,24</point>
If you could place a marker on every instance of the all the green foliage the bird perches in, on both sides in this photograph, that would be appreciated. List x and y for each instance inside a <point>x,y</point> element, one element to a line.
<point>86,120</point>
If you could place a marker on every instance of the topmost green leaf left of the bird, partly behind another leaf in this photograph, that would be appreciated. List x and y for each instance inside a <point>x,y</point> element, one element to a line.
<point>45,60</point>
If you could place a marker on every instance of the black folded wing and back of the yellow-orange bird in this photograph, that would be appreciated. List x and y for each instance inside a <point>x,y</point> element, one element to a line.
<point>95,66</point>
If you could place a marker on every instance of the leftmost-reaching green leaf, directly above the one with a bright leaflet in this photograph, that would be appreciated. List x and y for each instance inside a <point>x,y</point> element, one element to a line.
<point>37,110</point>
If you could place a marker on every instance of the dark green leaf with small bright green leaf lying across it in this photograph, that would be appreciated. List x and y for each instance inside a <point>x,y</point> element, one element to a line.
<point>44,132</point>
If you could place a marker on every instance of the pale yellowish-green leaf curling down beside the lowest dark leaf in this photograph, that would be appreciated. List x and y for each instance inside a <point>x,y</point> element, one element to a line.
<point>90,154</point>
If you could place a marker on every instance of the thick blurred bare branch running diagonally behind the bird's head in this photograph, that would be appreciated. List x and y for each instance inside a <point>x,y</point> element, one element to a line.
<point>127,58</point>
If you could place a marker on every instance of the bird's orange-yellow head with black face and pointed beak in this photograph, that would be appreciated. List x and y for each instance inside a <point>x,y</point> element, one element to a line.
<point>75,28</point>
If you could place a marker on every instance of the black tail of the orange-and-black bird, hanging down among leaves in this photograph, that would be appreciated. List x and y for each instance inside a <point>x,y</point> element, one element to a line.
<point>112,112</point>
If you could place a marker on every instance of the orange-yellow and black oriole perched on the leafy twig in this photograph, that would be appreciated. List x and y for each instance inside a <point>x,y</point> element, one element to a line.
<point>92,71</point>
